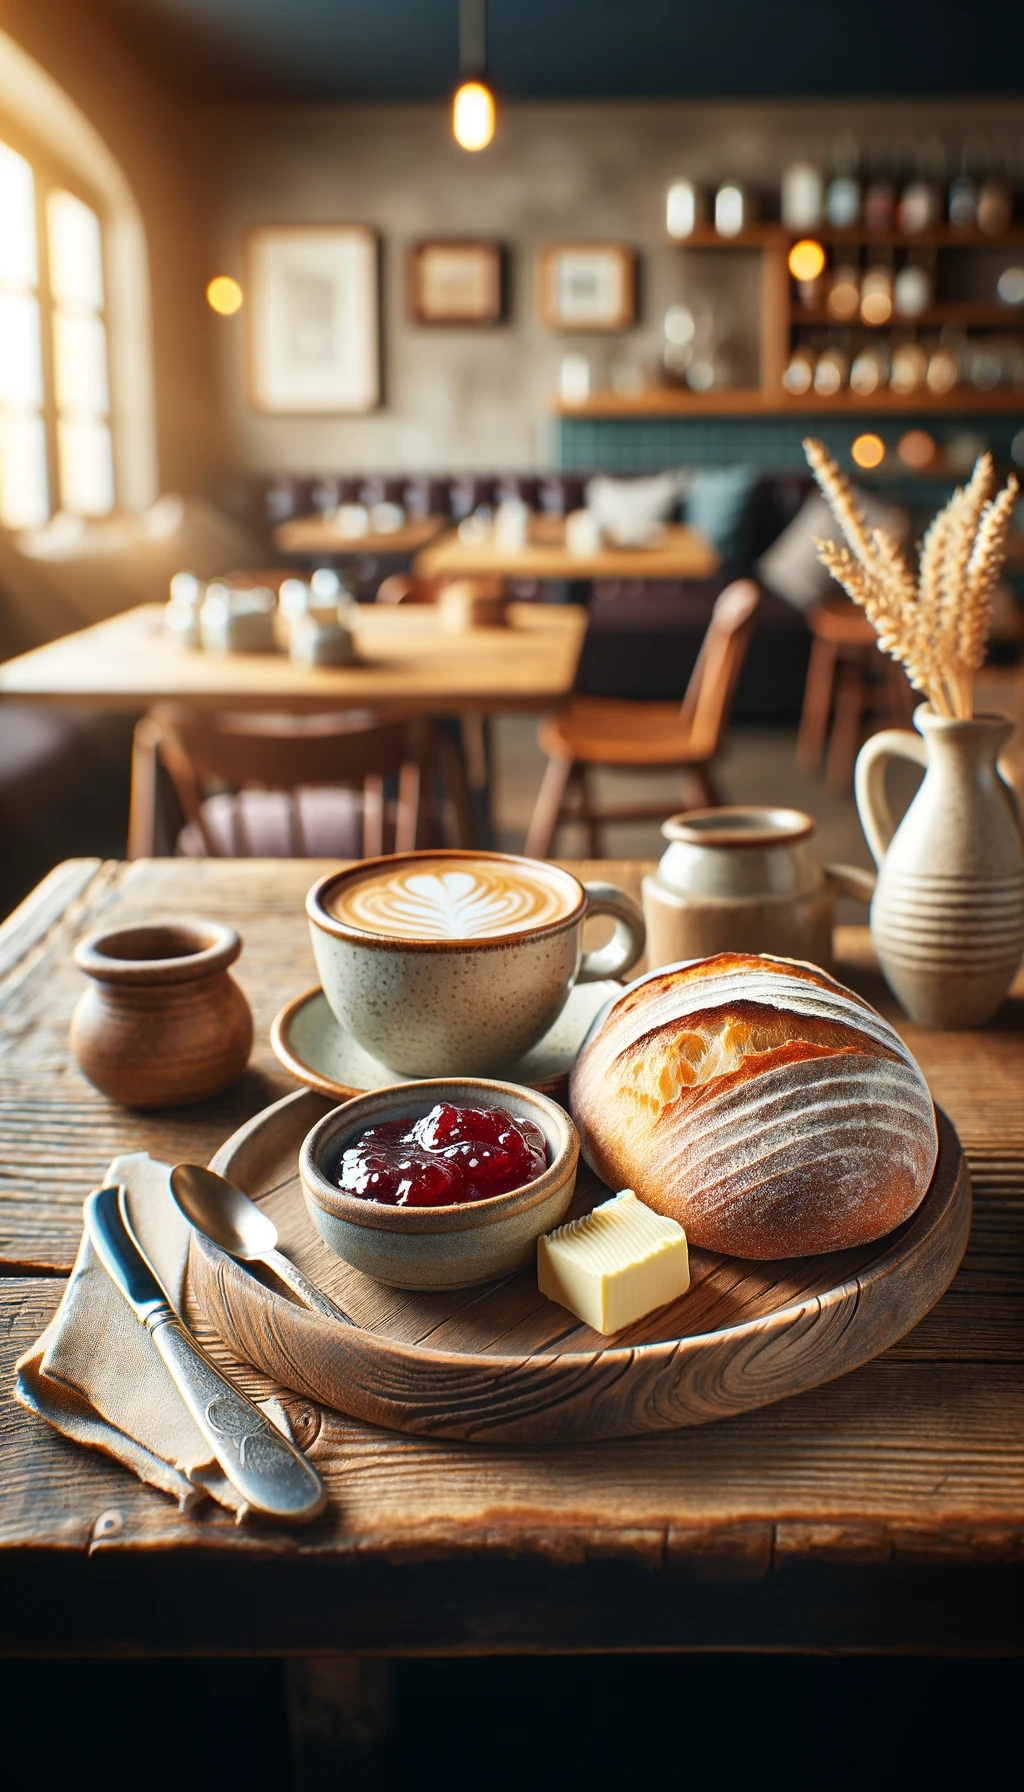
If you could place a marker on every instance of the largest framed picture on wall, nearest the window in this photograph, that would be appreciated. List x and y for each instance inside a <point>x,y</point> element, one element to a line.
<point>313,318</point>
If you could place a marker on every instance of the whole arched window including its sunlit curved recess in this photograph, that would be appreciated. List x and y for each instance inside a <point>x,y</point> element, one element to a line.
<point>76,375</point>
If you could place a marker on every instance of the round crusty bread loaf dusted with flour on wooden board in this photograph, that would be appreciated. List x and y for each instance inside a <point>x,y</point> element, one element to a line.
<point>761,1105</point>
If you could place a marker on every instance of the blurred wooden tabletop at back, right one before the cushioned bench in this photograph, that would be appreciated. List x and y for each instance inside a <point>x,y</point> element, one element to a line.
<point>682,553</point>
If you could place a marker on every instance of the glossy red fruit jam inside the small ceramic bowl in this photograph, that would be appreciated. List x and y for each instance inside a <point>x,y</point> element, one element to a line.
<point>451,1155</point>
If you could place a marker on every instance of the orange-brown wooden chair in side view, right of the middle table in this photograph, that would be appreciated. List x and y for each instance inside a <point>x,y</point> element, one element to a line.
<point>645,736</point>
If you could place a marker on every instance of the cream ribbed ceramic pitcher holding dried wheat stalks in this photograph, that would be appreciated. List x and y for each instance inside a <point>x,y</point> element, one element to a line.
<point>948,915</point>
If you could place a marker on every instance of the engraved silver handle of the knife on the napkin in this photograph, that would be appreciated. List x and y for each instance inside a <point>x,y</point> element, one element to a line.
<point>268,1470</point>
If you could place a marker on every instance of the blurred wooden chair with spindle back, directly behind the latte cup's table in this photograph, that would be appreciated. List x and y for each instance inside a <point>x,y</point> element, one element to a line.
<point>290,786</point>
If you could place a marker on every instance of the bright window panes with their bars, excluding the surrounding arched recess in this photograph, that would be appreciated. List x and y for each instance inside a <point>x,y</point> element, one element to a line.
<point>55,384</point>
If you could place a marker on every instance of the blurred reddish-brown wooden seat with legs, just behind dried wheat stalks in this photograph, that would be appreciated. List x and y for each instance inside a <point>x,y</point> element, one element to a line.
<point>847,680</point>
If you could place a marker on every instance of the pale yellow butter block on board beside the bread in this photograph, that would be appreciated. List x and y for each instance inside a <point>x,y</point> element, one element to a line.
<point>616,1264</point>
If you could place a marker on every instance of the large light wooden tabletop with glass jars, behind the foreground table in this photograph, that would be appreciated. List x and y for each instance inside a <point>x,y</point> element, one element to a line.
<point>406,664</point>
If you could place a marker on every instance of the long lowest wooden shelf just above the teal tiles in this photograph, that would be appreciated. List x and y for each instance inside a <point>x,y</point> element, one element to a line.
<point>670,402</point>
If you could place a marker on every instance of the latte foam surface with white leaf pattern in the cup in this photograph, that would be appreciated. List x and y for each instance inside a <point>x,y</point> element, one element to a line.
<point>469,900</point>
